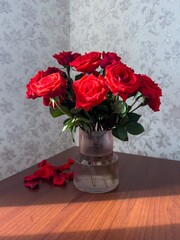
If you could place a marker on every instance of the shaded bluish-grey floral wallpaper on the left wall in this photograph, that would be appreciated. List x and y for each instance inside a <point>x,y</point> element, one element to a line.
<point>30,33</point>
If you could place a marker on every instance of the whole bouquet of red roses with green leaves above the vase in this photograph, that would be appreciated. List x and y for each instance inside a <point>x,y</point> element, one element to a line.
<point>103,94</point>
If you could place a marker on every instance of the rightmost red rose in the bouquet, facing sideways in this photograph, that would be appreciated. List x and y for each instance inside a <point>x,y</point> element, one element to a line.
<point>151,91</point>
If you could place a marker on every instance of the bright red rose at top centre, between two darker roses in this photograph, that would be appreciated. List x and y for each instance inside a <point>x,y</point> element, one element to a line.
<point>87,63</point>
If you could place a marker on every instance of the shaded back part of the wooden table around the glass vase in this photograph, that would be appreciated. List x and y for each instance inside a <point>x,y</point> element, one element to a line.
<point>139,177</point>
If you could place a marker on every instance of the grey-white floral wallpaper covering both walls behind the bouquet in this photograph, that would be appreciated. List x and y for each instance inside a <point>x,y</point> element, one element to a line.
<point>146,33</point>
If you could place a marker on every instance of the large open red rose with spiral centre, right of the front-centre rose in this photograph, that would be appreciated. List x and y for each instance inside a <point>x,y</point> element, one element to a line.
<point>121,80</point>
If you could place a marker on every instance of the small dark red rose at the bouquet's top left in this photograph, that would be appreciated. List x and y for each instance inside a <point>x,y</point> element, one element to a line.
<point>64,58</point>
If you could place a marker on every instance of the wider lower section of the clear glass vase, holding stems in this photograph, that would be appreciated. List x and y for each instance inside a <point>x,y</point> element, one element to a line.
<point>98,176</point>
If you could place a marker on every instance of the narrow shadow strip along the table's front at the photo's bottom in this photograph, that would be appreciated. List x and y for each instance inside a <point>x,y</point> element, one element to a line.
<point>162,232</point>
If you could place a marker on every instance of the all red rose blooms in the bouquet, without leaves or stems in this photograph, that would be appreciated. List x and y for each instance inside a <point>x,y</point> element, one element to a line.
<point>94,86</point>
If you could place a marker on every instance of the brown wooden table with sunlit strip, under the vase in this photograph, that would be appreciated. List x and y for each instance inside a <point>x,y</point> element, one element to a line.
<point>146,205</point>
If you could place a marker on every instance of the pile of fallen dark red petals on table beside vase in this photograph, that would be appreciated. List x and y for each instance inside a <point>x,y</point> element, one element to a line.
<point>57,175</point>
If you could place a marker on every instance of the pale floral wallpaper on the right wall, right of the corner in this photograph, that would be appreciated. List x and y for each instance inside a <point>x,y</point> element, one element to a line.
<point>146,34</point>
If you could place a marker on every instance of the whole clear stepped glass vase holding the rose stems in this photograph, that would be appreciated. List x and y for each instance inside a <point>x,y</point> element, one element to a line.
<point>96,168</point>
